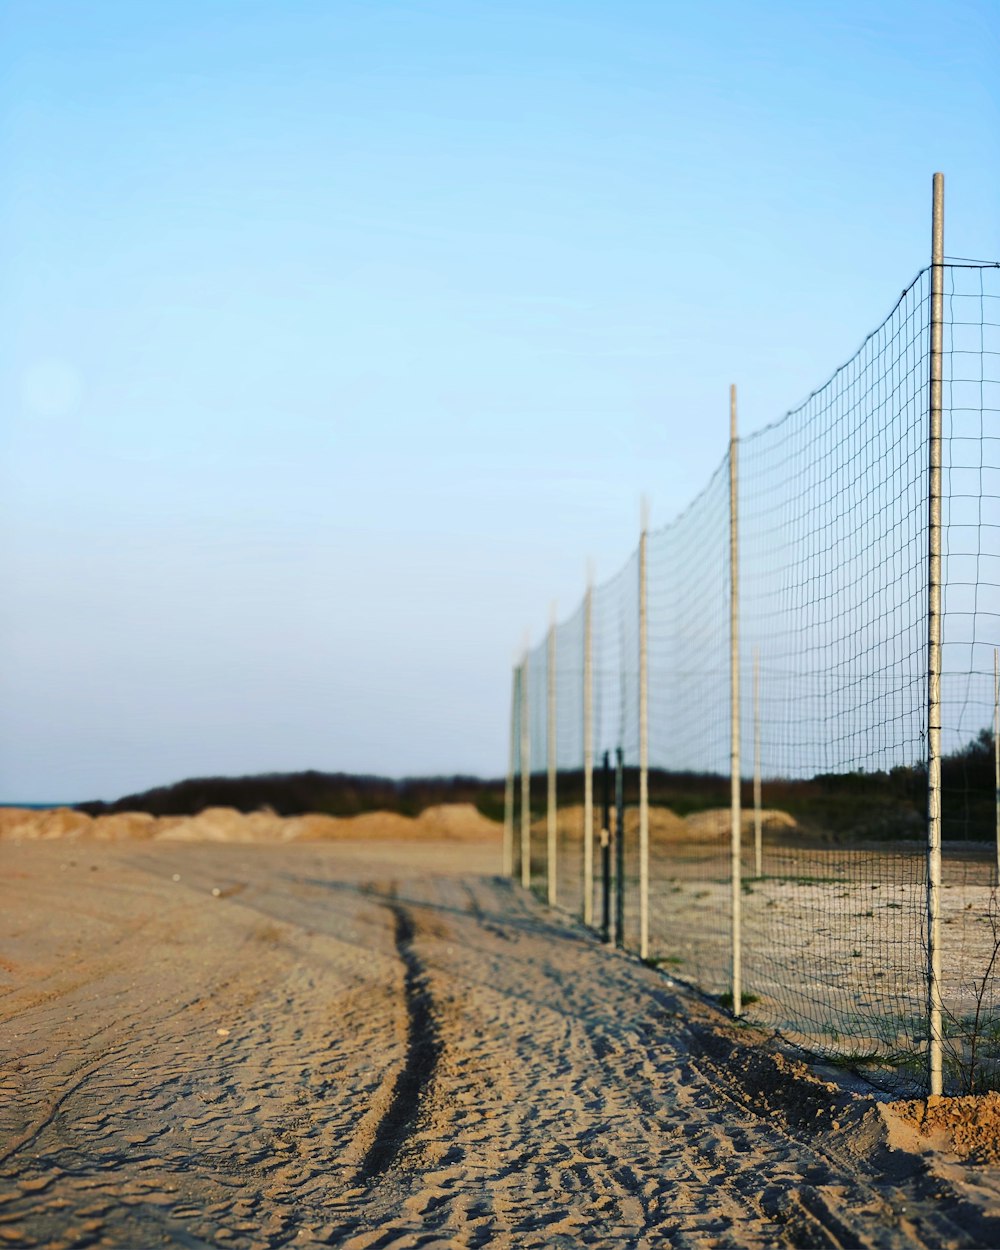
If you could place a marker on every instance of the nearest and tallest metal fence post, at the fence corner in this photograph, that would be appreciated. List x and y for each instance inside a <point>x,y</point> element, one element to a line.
<point>936,1039</point>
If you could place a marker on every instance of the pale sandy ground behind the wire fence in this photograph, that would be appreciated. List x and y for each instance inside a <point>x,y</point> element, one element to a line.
<point>834,949</point>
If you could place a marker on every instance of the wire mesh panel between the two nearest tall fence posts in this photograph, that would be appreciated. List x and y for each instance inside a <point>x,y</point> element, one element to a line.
<point>834,541</point>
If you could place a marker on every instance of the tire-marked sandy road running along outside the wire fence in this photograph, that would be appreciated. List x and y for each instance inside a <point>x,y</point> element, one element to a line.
<point>311,1046</point>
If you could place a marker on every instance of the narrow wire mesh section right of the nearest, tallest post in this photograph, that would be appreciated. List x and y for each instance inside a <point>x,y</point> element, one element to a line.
<point>971,786</point>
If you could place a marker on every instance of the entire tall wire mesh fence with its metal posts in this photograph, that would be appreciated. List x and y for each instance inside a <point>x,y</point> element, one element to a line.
<point>763,756</point>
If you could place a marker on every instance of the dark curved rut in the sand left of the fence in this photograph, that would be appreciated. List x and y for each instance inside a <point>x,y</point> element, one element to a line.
<point>419,1067</point>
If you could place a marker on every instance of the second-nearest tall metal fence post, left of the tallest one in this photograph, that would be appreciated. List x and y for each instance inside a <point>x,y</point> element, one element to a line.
<point>734,687</point>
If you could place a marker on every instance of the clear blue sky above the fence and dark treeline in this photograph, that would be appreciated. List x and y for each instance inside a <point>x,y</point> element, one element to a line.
<point>339,334</point>
